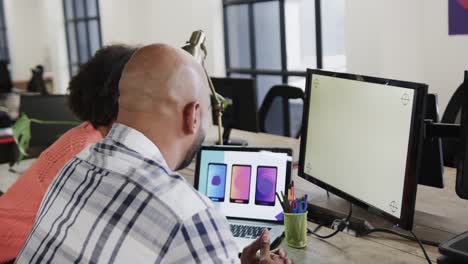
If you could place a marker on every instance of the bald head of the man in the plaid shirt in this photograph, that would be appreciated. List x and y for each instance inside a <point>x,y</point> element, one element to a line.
<point>164,94</point>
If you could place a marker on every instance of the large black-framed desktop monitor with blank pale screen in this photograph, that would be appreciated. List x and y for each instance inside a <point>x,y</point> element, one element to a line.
<point>362,140</point>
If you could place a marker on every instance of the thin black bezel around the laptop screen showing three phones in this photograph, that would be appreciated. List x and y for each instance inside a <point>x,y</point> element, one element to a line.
<point>287,151</point>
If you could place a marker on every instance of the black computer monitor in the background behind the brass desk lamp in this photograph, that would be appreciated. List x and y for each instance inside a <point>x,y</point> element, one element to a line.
<point>242,113</point>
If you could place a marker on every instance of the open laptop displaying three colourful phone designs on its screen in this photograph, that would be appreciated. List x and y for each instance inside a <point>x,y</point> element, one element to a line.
<point>242,183</point>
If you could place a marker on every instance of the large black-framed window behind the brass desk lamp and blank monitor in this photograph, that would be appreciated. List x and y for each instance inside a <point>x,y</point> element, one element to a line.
<point>274,41</point>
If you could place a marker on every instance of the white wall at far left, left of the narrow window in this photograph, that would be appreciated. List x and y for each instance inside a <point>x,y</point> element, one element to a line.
<point>35,31</point>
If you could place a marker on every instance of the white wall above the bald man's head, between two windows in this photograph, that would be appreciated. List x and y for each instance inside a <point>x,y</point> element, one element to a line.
<point>169,22</point>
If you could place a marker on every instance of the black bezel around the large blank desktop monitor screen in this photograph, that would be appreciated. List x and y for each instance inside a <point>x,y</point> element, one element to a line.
<point>413,161</point>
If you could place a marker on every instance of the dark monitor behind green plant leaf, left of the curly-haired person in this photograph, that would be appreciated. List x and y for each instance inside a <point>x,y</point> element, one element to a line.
<point>46,108</point>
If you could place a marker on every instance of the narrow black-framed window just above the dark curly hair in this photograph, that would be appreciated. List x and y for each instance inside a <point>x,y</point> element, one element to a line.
<point>83,31</point>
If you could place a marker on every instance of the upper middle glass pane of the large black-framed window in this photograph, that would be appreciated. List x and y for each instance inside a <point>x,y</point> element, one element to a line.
<point>267,35</point>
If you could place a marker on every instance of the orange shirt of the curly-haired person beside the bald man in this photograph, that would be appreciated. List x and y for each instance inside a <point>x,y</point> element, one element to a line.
<point>19,205</point>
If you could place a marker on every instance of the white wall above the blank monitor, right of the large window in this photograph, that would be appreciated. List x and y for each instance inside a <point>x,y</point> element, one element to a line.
<point>406,40</point>
